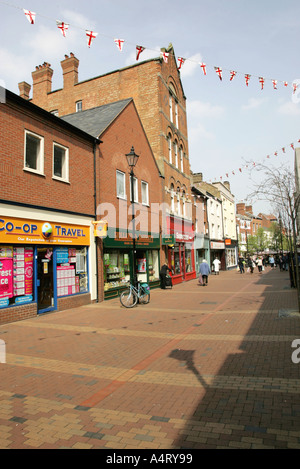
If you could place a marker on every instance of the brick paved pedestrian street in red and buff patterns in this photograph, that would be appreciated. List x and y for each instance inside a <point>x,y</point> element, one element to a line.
<point>198,367</point>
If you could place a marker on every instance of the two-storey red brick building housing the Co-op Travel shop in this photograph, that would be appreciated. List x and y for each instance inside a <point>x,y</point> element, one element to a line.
<point>47,247</point>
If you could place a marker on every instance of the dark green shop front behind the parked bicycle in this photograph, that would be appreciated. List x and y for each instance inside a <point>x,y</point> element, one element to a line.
<point>118,261</point>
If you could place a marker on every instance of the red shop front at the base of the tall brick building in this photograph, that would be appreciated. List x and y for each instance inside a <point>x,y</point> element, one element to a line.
<point>179,244</point>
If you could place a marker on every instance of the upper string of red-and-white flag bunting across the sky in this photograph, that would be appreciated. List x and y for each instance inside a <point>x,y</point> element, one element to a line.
<point>91,35</point>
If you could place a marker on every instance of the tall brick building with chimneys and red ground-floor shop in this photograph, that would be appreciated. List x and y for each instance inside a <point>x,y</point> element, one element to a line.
<point>157,91</point>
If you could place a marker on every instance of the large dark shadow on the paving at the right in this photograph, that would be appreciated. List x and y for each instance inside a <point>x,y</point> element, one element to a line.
<point>254,399</point>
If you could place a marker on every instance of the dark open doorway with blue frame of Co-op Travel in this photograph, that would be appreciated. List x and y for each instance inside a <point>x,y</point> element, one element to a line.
<point>45,283</point>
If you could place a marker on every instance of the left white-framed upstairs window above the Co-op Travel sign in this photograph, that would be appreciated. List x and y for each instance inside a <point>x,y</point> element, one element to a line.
<point>34,152</point>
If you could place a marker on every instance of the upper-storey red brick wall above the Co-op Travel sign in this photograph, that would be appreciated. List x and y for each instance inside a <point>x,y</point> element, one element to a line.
<point>19,185</point>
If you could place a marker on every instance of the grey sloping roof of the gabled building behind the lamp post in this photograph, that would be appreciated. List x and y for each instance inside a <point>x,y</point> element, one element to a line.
<point>96,120</point>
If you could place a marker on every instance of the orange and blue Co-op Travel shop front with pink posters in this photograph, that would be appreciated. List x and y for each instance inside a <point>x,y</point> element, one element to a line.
<point>43,265</point>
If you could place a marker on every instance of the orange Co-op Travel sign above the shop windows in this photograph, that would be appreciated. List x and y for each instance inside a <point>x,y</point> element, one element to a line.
<point>24,231</point>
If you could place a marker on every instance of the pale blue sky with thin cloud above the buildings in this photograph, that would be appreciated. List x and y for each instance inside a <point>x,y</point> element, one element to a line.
<point>232,127</point>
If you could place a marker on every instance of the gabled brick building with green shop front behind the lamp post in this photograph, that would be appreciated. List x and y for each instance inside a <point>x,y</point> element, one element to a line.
<point>119,127</point>
